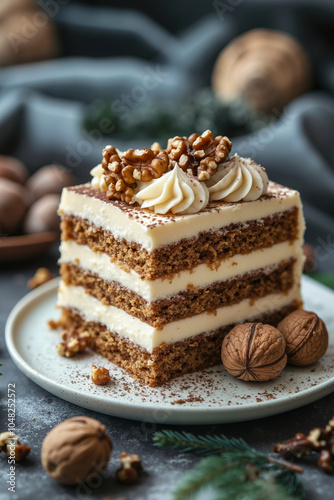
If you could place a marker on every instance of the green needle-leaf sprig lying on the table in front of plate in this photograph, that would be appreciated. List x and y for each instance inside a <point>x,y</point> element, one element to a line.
<point>234,469</point>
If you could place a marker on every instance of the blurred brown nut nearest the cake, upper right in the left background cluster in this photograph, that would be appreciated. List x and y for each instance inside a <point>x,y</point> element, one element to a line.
<point>49,179</point>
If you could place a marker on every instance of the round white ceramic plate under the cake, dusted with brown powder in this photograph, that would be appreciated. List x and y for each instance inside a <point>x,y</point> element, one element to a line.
<point>206,397</point>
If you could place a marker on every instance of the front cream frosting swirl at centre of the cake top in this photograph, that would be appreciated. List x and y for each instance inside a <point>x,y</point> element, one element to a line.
<point>174,192</point>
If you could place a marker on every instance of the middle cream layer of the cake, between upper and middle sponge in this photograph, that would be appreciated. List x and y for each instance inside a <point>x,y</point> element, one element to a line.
<point>202,275</point>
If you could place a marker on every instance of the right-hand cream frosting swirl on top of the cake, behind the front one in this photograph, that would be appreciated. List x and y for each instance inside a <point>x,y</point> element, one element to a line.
<point>238,179</point>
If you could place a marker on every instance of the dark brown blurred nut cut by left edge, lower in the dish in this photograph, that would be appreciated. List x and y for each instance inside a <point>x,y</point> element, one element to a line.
<point>13,205</point>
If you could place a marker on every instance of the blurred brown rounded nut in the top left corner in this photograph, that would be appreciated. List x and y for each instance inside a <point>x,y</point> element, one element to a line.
<point>27,33</point>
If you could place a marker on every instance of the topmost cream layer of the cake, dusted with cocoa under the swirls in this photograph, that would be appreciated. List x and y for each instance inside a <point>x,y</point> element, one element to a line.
<point>153,230</point>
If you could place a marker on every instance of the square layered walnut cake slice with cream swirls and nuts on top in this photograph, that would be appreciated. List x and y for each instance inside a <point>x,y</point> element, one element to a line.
<point>166,250</point>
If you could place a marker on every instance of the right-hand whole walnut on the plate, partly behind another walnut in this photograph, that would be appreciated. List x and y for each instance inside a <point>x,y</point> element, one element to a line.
<point>306,337</point>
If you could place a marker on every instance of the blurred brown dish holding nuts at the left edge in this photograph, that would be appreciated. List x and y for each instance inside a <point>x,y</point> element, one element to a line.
<point>28,245</point>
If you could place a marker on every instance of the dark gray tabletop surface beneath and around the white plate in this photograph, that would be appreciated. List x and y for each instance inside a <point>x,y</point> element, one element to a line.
<point>37,412</point>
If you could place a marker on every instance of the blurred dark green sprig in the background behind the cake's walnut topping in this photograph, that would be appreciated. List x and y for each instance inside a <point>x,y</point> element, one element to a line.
<point>156,118</point>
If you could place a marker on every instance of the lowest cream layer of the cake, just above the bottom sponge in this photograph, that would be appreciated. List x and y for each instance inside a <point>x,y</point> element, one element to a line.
<point>148,337</point>
